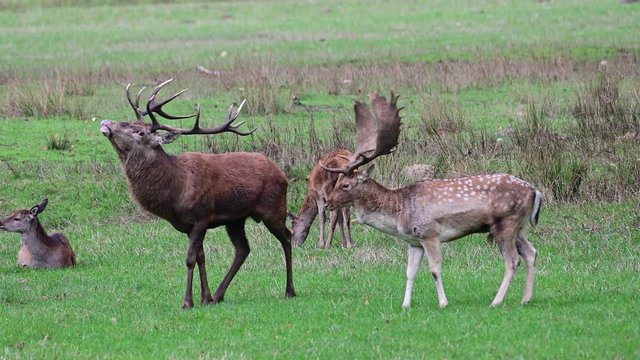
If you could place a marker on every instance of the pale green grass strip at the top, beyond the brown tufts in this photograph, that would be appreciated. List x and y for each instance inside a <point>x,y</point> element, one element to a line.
<point>184,35</point>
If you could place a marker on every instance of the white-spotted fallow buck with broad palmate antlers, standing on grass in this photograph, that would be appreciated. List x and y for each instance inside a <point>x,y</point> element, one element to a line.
<point>430,212</point>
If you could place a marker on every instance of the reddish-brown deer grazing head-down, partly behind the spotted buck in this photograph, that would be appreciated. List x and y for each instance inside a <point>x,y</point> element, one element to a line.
<point>320,185</point>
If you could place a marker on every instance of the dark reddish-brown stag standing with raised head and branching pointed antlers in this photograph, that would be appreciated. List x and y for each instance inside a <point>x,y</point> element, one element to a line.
<point>197,191</point>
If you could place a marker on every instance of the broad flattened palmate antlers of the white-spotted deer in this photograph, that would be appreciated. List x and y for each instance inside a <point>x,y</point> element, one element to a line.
<point>377,132</point>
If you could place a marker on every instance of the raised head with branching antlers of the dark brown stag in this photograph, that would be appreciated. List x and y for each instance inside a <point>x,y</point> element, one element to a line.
<point>137,135</point>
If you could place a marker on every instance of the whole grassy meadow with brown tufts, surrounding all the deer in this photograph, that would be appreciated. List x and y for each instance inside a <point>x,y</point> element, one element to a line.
<point>547,91</point>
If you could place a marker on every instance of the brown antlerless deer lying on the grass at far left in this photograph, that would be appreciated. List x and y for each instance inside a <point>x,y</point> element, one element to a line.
<point>38,250</point>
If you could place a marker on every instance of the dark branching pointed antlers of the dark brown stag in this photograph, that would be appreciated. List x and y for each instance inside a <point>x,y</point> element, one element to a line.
<point>155,107</point>
